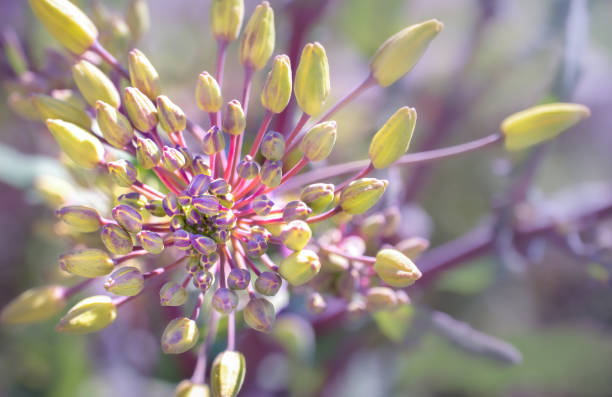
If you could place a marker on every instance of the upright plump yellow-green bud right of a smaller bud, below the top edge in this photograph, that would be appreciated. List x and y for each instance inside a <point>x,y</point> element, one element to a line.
<point>312,79</point>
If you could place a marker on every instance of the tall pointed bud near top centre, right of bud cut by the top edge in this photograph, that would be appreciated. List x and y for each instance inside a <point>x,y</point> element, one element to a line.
<point>257,42</point>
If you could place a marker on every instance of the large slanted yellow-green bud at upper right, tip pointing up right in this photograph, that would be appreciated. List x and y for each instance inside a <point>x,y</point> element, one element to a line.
<point>400,52</point>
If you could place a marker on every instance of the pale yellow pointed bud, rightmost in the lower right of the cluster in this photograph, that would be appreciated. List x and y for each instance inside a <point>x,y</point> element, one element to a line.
<point>396,269</point>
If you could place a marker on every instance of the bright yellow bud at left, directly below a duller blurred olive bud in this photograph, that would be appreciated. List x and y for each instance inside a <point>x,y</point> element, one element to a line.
<point>82,147</point>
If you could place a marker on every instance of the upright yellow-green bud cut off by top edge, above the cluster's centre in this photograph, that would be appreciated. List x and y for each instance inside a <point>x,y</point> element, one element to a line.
<point>226,19</point>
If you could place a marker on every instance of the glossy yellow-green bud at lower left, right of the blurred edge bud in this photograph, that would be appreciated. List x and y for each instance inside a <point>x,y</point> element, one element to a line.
<point>89,315</point>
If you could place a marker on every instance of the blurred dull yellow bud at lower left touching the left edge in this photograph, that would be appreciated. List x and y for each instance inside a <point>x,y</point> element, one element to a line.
<point>34,305</point>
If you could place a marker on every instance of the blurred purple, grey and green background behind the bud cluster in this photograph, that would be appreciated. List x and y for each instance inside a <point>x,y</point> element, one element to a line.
<point>534,320</point>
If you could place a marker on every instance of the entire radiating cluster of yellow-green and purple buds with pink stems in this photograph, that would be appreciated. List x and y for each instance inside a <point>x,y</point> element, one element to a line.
<point>222,214</point>
